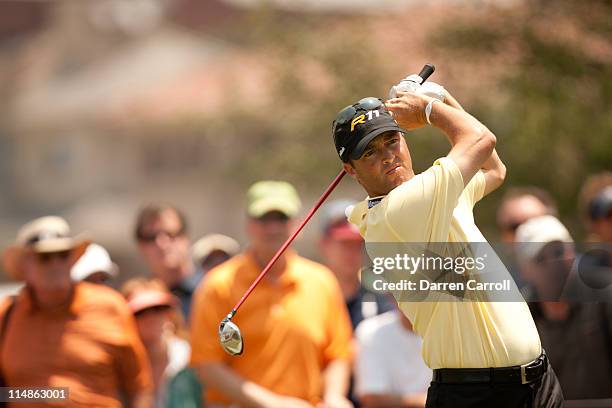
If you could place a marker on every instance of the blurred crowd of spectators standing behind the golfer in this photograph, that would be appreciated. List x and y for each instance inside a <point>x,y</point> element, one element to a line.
<point>314,336</point>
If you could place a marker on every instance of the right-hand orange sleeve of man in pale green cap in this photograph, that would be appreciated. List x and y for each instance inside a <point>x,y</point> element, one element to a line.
<point>338,328</point>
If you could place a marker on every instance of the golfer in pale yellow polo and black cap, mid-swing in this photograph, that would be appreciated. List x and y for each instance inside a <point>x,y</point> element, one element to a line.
<point>484,354</point>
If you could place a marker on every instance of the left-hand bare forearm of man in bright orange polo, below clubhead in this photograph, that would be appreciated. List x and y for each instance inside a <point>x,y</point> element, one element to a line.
<point>246,393</point>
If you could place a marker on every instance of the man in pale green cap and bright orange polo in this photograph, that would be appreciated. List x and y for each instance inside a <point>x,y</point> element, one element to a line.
<point>296,328</point>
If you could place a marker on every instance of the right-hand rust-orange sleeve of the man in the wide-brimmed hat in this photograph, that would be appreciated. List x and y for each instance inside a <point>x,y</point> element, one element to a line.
<point>133,365</point>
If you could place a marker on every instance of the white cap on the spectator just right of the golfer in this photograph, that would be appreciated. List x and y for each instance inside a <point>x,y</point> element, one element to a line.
<point>535,233</point>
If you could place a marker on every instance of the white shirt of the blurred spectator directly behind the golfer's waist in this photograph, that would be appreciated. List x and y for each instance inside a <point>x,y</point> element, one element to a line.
<point>389,358</point>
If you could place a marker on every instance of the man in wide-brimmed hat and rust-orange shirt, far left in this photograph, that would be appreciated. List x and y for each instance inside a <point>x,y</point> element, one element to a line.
<point>58,333</point>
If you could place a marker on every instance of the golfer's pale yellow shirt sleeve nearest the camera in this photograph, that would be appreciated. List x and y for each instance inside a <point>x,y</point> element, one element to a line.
<point>421,209</point>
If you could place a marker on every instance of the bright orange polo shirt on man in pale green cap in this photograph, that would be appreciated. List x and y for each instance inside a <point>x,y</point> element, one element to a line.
<point>292,329</point>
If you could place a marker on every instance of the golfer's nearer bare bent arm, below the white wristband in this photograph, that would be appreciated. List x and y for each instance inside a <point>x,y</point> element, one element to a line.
<point>472,143</point>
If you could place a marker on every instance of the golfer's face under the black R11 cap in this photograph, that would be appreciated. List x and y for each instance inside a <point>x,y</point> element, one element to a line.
<point>384,165</point>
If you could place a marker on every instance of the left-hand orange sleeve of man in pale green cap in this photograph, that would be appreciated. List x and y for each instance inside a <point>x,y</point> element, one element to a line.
<point>208,309</point>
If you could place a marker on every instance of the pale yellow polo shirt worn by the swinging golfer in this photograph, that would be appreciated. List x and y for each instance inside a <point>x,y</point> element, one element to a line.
<point>434,206</point>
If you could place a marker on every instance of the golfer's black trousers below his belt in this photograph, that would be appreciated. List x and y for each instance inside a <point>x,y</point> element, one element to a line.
<point>545,393</point>
